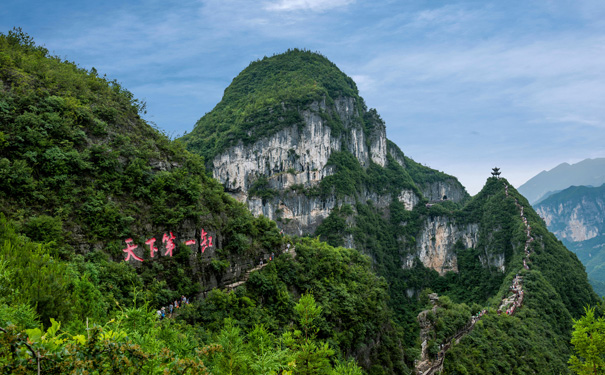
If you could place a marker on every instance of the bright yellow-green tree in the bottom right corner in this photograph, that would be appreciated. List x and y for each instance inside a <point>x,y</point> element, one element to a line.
<point>588,339</point>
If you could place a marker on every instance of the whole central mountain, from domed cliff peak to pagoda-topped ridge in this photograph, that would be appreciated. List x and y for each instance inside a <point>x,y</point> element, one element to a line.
<point>294,141</point>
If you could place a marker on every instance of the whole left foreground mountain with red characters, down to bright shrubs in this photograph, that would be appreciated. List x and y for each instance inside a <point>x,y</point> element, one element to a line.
<point>104,220</point>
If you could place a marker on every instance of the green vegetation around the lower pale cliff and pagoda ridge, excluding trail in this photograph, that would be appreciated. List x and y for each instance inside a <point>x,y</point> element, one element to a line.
<point>554,296</point>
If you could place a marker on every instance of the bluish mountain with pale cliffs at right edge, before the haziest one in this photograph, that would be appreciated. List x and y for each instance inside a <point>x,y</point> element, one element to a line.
<point>576,216</point>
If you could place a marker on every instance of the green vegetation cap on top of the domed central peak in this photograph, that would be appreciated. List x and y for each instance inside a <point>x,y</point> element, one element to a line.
<point>267,96</point>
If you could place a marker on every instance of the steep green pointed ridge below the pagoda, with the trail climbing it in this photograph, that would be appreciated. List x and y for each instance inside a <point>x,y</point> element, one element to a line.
<point>555,289</point>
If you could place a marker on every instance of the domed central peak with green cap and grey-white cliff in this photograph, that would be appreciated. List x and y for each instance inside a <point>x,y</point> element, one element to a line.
<point>289,128</point>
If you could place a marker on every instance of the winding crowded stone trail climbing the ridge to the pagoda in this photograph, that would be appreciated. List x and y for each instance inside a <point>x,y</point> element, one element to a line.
<point>509,305</point>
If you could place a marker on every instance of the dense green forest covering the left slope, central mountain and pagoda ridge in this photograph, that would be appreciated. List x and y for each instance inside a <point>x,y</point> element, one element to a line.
<point>86,182</point>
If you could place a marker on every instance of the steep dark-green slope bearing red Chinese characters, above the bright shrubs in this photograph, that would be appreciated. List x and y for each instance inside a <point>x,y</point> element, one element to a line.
<point>81,168</point>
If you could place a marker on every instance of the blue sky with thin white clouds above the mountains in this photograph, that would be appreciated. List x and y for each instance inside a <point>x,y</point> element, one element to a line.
<point>462,85</point>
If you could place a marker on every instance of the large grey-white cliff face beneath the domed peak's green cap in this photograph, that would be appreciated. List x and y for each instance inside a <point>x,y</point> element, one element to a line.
<point>295,159</point>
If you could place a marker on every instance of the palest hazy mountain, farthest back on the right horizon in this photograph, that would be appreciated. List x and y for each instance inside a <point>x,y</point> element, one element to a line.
<point>589,172</point>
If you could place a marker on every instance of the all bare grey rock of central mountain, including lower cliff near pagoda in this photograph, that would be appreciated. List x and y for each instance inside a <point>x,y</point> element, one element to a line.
<point>294,160</point>
